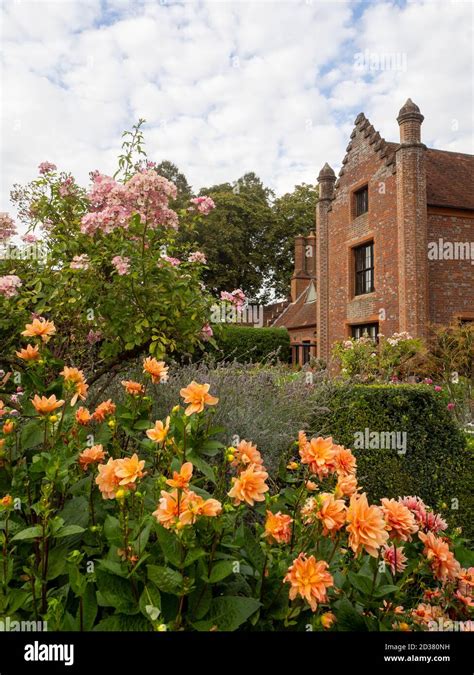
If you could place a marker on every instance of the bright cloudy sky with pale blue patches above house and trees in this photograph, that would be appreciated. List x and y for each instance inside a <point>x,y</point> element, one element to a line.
<point>226,86</point>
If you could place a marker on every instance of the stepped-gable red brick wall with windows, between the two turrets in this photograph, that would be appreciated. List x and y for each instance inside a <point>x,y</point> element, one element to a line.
<point>364,165</point>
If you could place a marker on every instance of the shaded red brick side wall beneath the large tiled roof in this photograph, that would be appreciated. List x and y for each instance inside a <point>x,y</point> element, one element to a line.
<point>451,287</point>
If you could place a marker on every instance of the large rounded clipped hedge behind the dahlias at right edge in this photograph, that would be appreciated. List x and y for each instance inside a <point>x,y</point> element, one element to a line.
<point>438,466</point>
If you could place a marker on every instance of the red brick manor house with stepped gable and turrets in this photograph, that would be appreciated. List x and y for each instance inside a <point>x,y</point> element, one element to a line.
<point>392,249</point>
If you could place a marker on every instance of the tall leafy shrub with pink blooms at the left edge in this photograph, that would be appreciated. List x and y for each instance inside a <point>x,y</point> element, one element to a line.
<point>111,266</point>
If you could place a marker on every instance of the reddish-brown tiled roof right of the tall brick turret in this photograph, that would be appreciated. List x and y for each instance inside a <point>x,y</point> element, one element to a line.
<point>450,179</point>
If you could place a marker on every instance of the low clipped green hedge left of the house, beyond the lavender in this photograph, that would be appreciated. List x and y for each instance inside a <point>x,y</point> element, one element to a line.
<point>245,344</point>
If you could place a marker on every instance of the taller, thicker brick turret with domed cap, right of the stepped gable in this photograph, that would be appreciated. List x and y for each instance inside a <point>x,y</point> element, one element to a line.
<point>412,223</point>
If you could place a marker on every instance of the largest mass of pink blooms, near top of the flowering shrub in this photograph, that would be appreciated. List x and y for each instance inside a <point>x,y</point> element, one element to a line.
<point>112,204</point>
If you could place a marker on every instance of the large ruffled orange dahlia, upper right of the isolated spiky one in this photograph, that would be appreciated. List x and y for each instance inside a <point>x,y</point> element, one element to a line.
<point>367,527</point>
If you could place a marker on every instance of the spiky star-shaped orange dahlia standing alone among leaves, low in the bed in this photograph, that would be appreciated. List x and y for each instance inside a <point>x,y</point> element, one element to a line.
<point>309,579</point>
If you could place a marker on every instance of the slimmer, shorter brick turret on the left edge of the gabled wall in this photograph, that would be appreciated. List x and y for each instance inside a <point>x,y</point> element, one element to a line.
<point>326,180</point>
